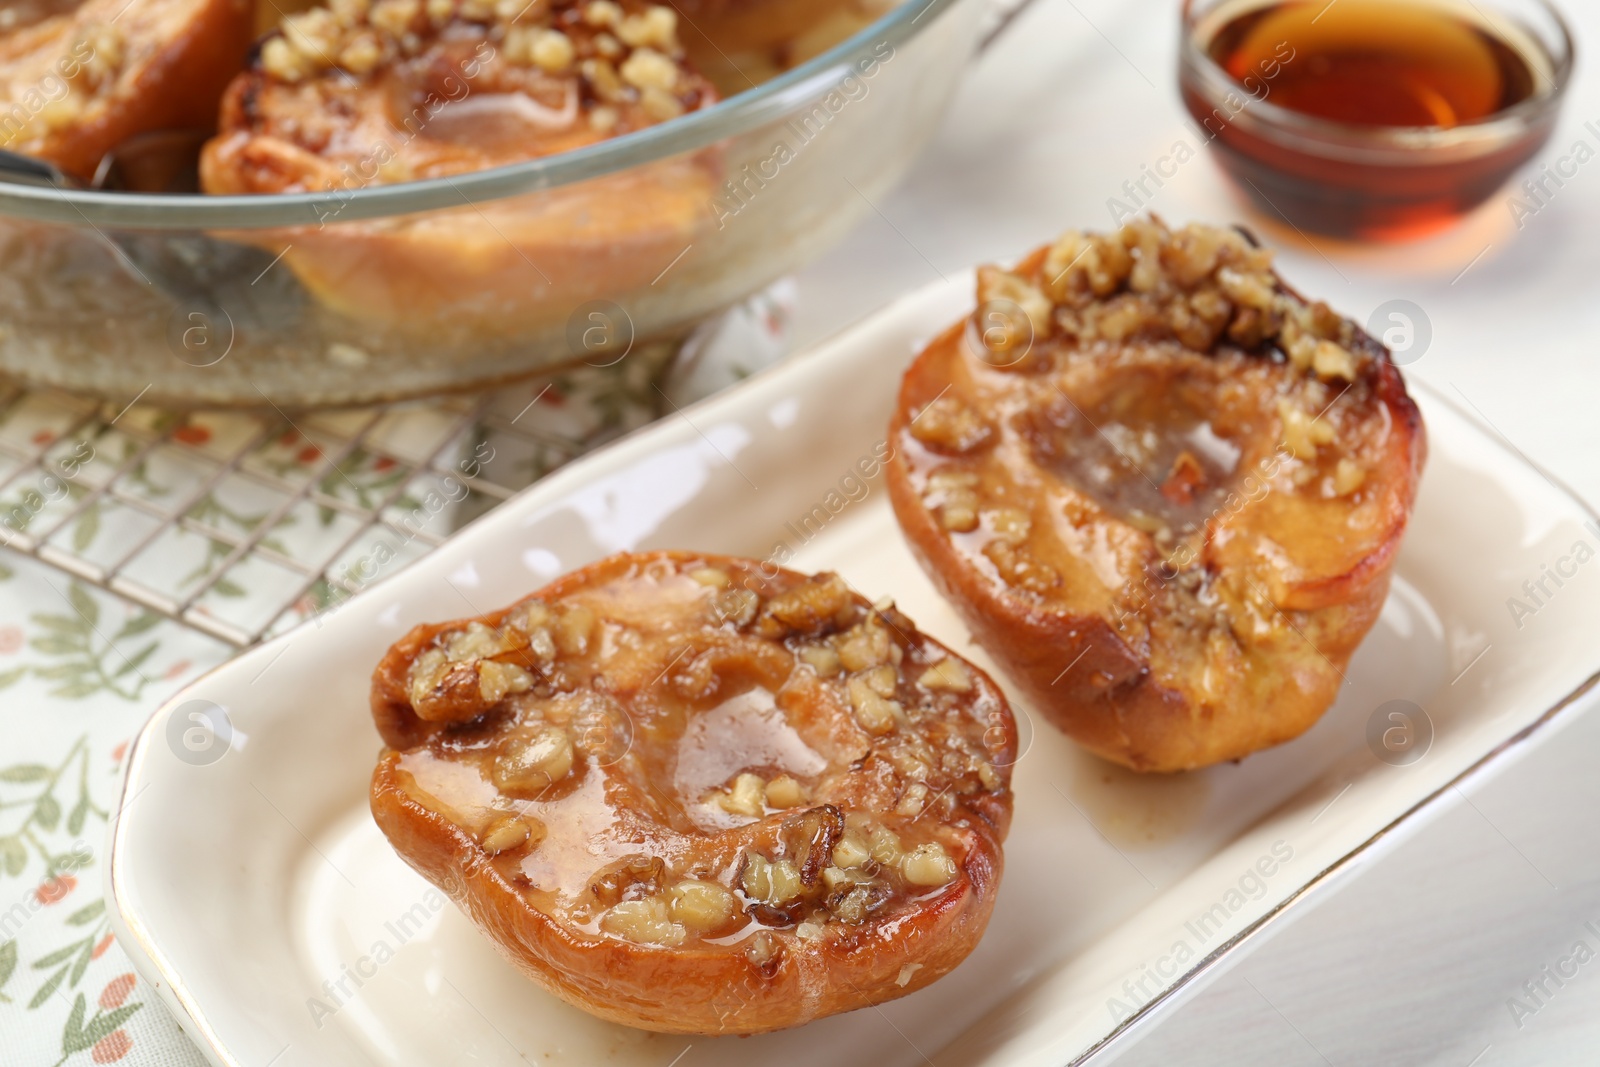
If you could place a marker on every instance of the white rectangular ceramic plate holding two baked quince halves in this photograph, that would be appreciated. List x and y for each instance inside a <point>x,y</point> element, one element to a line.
<point>254,890</point>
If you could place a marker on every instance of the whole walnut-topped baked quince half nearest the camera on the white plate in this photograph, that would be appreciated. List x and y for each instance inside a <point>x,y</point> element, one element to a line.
<point>700,794</point>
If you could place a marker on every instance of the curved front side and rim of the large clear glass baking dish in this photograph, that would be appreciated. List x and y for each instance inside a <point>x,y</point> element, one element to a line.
<point>390,292</point>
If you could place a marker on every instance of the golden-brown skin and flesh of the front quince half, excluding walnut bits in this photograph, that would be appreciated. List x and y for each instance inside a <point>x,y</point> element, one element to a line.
<point>695,985</point>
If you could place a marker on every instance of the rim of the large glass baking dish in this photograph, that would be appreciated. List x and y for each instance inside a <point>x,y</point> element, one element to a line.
<point>249,212</point>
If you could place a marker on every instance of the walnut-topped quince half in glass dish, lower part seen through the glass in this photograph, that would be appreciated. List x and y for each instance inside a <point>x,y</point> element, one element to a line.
<point>377,92</point>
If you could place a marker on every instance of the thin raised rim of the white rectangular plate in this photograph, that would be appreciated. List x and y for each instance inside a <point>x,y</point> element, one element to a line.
<point>182,1001</point>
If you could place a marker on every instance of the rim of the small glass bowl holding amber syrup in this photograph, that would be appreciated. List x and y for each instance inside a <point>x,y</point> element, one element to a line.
<point>1399,143</point>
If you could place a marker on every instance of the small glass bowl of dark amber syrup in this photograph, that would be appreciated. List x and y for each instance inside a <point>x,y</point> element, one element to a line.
<point>1374,119</point>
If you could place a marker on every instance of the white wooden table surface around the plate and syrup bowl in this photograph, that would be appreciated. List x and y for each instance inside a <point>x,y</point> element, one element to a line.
<point>1418,959</point>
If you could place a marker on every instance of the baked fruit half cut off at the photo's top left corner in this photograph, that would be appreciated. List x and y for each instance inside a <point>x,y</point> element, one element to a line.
<point>79,78</point>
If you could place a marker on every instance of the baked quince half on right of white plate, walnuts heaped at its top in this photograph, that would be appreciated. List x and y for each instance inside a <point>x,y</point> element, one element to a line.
<point>1162,489</point>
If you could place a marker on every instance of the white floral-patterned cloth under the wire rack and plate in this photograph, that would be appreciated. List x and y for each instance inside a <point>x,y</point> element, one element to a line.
<point>255,524</point>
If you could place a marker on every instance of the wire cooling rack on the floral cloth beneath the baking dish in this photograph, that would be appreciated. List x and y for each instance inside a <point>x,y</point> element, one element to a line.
<point>246,524</point>
